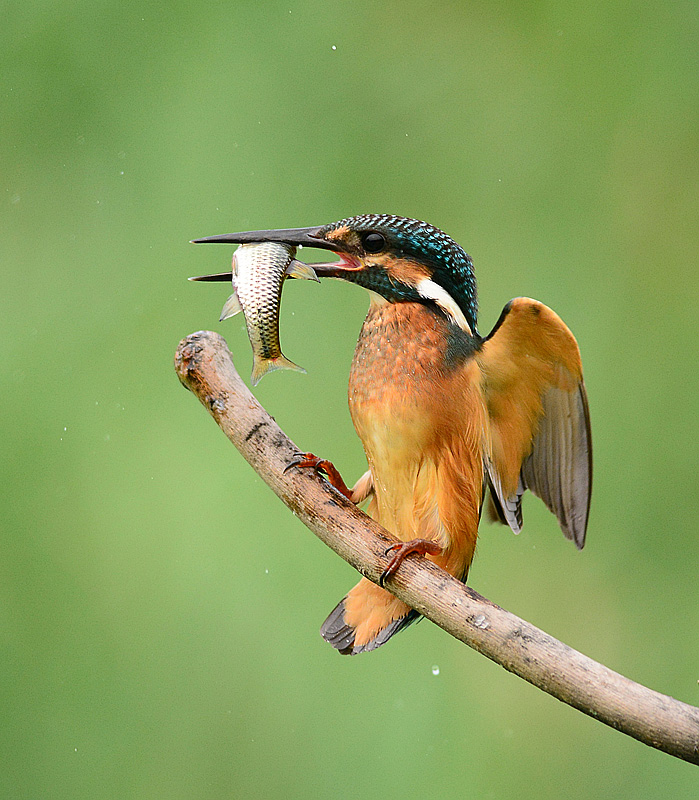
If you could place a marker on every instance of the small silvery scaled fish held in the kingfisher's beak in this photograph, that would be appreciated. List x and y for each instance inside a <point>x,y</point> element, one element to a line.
<point>258,274</point>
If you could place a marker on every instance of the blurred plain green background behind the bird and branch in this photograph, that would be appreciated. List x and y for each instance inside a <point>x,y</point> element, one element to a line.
<point>159,608</point>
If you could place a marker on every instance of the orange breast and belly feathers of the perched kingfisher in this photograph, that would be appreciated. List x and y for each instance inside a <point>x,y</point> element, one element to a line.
<point>416,402</point>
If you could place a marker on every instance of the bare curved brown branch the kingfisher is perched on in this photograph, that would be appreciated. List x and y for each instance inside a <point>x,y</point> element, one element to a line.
<point>204,366</point>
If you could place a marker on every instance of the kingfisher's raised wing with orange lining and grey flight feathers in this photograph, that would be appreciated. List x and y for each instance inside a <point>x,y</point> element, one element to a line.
<point>540,424</point>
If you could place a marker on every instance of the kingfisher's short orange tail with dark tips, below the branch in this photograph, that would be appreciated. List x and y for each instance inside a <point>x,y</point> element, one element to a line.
<point>365,619</point>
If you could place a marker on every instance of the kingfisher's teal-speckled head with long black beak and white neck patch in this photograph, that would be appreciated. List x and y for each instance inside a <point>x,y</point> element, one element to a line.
<point>397,258</point>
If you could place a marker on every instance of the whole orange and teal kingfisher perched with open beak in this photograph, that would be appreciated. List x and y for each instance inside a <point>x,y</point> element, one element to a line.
<point>450,420</point>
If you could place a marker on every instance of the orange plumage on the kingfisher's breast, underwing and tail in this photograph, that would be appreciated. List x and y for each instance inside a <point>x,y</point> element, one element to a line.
<point>428,426</point>
